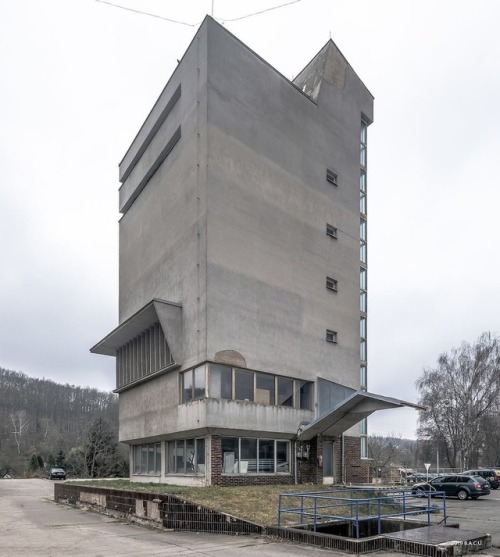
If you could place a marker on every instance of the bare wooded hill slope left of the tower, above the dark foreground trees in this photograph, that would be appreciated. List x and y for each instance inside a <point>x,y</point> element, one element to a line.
<point>42,417</point>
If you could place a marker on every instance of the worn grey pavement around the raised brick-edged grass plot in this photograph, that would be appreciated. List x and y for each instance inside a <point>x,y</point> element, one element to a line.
<point>32,524</point>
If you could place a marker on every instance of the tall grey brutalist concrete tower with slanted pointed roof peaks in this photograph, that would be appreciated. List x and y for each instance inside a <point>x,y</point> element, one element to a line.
<point>241,344</point>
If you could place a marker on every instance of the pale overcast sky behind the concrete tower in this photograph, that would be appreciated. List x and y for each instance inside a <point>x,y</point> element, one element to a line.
<point>79,78</point>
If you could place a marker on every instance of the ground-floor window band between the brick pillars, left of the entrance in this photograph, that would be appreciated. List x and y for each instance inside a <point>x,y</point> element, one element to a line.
<point>242,455</point>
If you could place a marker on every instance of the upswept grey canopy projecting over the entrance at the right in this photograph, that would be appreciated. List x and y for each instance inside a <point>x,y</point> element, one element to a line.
<point>349,412</point>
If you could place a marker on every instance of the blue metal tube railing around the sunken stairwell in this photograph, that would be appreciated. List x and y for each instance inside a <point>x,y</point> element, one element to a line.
<point>356,505</point>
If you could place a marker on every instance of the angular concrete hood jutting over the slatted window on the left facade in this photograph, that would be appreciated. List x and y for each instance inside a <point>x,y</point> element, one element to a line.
<point>168,314</point>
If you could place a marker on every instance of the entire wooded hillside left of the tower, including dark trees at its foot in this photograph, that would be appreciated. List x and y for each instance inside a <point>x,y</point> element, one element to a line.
<point>44,423</point>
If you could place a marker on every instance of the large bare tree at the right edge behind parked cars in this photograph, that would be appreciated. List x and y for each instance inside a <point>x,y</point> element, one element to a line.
<point>461,395</point>
